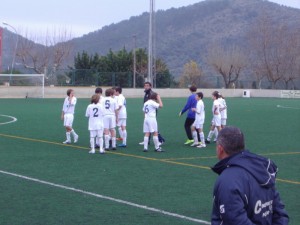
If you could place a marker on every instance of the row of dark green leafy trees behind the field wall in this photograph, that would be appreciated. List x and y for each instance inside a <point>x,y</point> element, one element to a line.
<point>116,68</point>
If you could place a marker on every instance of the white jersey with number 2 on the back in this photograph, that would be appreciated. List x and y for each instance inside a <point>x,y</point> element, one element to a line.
<point>95,114</point>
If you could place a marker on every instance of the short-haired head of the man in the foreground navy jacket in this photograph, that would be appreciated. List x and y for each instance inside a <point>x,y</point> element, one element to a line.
<point>231,139</point>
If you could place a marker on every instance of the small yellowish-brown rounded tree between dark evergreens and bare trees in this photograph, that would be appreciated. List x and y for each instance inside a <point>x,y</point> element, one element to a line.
<point>191,75</point>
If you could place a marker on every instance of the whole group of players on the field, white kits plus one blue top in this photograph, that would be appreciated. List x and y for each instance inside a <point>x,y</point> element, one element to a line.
<point>108,112</point>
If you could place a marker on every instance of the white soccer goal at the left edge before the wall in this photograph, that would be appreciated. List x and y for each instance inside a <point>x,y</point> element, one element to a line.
<point>33,85</point>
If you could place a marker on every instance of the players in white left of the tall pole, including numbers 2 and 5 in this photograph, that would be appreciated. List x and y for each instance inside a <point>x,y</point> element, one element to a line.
<point>104,113</point>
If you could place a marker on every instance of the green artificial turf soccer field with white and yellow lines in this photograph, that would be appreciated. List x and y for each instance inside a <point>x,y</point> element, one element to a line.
<point>43,181</point>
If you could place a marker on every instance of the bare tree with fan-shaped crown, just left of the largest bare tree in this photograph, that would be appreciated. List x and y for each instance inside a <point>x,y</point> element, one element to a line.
<point>228,62</point>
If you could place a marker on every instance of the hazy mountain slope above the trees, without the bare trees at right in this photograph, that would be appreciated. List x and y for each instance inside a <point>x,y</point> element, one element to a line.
<point>186,33</point>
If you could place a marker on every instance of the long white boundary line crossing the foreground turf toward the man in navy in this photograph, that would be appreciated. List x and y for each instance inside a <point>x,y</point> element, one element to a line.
<point>107,198</point>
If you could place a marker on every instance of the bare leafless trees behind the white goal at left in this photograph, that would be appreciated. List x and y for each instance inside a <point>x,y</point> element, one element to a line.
<point>46,56</point>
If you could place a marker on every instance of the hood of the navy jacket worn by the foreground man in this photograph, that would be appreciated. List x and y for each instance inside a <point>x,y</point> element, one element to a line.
<point>262,169</point>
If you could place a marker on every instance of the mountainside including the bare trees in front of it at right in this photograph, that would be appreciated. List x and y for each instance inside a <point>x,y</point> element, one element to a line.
<point>206,33</point>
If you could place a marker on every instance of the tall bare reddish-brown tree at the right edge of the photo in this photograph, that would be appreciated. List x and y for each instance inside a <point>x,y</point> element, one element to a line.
<point>275,51</point>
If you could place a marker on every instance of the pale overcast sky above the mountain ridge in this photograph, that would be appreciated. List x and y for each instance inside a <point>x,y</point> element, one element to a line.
<point>36,17</point>
